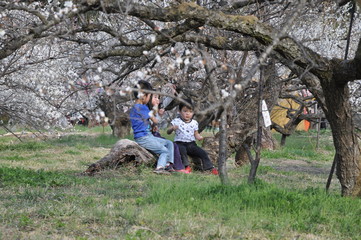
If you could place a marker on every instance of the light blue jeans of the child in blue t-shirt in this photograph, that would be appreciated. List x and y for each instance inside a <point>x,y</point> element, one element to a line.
<point>160,146</point>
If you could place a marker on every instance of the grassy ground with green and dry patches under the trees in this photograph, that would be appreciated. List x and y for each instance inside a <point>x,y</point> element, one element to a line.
<point>44,197</point>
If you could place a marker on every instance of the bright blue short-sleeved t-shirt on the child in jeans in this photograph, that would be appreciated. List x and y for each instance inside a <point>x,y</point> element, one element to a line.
<point>139,117</point>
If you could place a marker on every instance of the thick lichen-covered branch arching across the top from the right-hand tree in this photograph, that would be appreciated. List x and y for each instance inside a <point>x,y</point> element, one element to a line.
<point>246,25</point>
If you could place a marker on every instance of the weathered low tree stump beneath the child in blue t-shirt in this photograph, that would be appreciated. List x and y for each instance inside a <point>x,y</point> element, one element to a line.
<point>123,152</point>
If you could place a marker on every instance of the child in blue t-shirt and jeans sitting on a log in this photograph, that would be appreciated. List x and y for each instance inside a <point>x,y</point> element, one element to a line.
<point>139,117</point>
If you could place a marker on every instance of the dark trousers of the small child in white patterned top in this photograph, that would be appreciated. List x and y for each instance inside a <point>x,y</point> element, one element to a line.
<point>191,149</point>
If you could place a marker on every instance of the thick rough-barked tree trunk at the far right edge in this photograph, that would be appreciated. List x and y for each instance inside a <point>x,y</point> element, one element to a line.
<point>344,138</point>
